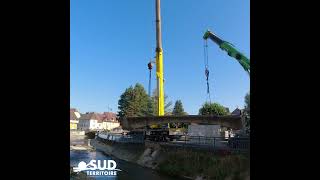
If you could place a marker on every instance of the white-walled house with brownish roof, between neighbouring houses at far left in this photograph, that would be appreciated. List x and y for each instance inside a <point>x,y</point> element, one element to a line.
<point>90,121</point>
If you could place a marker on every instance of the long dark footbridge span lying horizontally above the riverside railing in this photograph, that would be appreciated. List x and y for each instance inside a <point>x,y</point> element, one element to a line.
<point>231,121</point>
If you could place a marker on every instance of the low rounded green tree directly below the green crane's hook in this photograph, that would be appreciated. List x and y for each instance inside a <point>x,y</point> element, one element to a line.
<point>213,109</point>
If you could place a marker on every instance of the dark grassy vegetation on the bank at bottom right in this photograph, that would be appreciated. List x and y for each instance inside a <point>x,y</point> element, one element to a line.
<point>209,166</point>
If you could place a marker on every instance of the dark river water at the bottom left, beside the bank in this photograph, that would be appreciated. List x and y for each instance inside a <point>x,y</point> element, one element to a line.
<point>129,171</point>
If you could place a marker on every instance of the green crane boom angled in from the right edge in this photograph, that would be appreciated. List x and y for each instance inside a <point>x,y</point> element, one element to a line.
<point>230,49</point>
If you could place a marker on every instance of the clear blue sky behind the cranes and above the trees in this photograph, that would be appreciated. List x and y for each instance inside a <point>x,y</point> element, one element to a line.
<point>111,42</point>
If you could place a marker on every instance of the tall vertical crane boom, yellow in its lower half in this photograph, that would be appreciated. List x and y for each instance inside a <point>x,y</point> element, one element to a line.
<point>159,61</point>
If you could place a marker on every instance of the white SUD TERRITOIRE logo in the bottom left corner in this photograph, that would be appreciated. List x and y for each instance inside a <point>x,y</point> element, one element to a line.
<point>98,168</point>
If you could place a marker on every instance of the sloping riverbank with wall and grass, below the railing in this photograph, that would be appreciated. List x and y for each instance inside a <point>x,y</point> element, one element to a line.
<point>179,162</point>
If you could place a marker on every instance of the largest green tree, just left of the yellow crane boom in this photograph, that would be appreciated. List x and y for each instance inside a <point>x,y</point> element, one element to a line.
<point>135,102</point>
